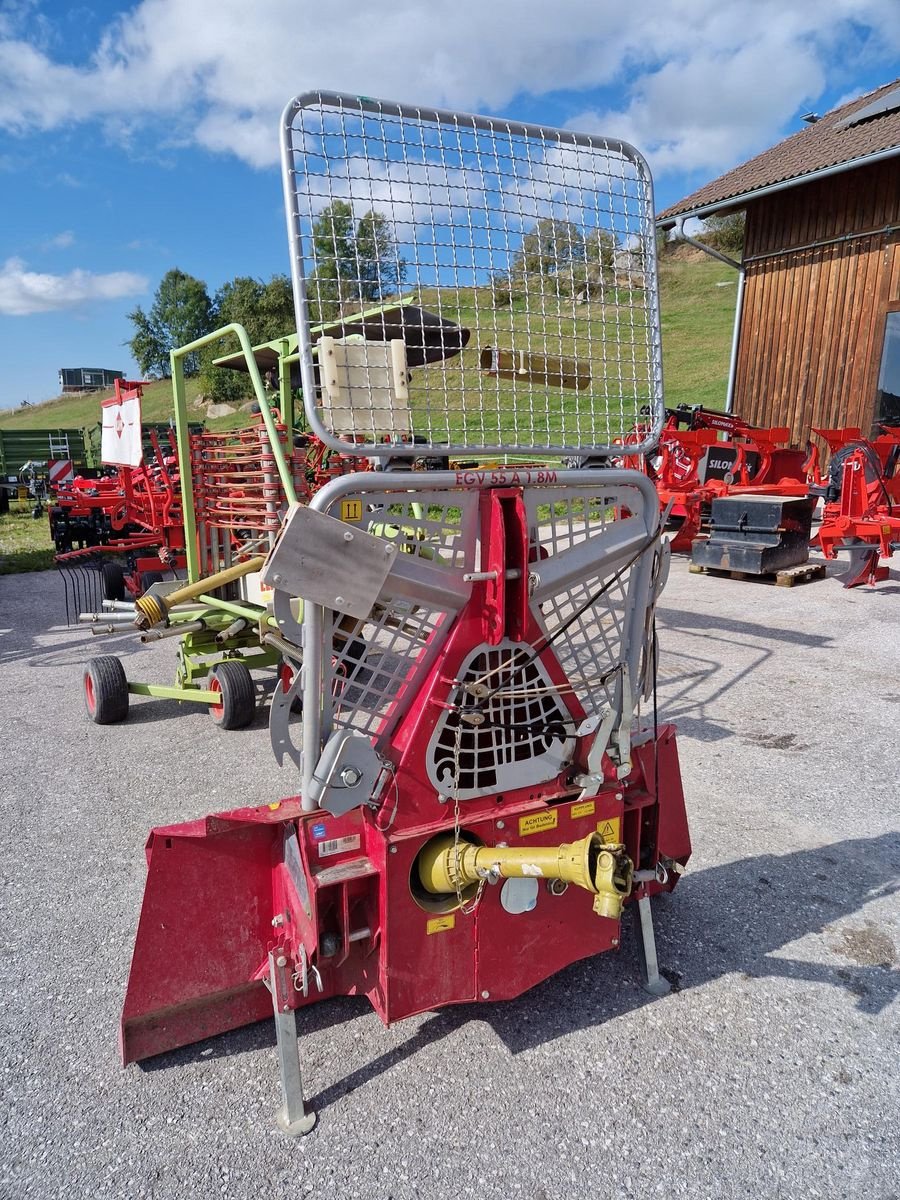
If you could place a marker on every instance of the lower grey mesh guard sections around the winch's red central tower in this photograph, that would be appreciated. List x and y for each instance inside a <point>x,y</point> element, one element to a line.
<point>592,543</point>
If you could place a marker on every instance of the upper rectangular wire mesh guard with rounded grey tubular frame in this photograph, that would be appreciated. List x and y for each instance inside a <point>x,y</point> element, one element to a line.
<point>491,286</point>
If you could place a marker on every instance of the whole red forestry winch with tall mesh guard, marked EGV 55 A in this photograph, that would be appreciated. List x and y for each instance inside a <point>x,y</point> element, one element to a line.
<point>471,710</point>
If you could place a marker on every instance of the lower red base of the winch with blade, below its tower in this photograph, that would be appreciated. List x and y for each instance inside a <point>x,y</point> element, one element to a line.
<point>226,890</point>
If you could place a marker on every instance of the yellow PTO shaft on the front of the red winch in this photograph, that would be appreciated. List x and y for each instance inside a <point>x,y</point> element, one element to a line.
<point>598,867</point>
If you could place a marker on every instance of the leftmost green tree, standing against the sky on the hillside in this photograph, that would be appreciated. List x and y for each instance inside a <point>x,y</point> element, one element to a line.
<point>182,313</point>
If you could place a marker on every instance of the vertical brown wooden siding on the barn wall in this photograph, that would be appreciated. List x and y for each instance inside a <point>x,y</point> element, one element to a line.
<point>815,301</point>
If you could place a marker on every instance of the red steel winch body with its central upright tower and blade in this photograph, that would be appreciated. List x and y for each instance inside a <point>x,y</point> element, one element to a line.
<point>338,896</point>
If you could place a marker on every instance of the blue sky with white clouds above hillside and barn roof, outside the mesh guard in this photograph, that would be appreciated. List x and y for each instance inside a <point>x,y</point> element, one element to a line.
<point>140,137</point>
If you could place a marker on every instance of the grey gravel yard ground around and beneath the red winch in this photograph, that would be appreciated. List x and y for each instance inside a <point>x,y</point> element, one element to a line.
<point>772,1071</point>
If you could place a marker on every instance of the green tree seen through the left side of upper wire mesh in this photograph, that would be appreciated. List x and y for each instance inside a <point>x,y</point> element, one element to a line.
<point>355,265</point>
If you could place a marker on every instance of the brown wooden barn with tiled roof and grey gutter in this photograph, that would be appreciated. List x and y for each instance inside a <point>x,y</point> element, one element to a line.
<point>818,323</point>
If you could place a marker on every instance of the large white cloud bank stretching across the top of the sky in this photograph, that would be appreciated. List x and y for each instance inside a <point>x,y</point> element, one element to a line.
<point>704,83</point>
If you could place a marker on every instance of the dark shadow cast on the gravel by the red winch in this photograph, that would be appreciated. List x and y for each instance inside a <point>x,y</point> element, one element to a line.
<point>729,920</point>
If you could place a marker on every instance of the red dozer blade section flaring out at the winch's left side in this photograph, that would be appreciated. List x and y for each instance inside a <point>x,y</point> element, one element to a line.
<point>205,932</point>
